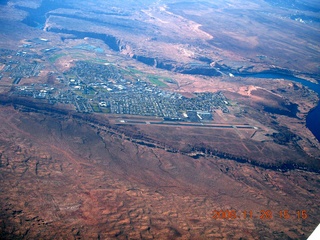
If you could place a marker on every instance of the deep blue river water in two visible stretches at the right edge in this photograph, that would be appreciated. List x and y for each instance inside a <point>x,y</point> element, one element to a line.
<point>313,118</point>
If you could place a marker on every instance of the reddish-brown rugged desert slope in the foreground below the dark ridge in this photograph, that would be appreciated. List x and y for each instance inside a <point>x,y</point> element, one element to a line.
<point>71,177</point>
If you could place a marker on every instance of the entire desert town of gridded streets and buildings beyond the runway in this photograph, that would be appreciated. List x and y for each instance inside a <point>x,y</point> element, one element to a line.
<point>103,88</point>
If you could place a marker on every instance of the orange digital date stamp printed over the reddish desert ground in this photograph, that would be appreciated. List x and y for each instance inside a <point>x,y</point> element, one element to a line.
<point>262,214</point>
